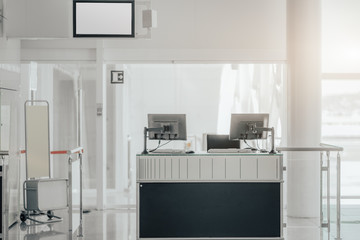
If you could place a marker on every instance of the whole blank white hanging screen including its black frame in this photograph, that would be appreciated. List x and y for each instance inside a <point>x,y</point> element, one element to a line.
<point>103,18</point>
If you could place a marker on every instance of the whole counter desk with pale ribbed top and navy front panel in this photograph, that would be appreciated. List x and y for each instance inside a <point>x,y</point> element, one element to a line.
<point>183,196</point>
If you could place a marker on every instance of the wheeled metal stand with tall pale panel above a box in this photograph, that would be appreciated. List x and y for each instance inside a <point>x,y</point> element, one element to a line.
<point>37,154</point>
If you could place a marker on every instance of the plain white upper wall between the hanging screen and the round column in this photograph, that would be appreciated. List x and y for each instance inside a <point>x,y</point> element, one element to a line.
<point>208,30</point>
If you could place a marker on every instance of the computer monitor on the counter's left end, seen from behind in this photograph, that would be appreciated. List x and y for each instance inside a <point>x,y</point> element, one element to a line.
<point>167,126</point>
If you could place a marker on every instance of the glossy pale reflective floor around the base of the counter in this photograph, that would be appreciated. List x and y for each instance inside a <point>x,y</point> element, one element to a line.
<point>121,224</point>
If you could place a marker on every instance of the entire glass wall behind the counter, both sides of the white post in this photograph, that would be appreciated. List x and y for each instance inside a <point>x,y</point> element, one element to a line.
<point>206,93</point>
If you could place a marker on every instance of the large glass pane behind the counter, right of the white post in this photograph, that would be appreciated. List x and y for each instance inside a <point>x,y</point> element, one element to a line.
<point>206,93</point>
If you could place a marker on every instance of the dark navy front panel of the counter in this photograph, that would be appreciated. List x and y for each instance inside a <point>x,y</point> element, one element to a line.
<point>195,210</point>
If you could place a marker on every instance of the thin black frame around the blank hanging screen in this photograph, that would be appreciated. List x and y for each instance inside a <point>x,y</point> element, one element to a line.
<point>131,35</point>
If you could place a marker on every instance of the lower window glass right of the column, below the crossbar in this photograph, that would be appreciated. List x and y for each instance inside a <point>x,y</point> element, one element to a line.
<point>341,125</point>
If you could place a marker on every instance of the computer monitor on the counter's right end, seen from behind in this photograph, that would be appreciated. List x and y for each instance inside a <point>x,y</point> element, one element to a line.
<point>249,126</point>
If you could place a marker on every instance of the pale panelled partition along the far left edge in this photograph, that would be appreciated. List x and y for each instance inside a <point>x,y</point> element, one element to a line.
<point>10,142</point>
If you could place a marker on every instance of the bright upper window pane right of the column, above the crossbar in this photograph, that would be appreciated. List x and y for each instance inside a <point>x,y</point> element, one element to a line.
<point>340,36</point>
